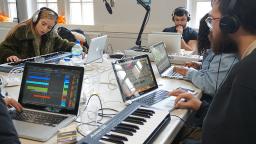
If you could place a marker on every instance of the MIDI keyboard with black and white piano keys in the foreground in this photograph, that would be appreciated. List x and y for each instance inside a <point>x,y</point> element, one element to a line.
<point>133,125</point>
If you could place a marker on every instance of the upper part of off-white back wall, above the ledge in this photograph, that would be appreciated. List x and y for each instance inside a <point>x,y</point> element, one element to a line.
<point>128,15</point>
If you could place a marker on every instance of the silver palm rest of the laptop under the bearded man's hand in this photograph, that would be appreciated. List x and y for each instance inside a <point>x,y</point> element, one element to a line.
<point>166,104</point>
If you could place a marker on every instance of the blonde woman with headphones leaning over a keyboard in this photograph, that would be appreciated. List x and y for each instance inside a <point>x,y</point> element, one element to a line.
<point>33,37</point>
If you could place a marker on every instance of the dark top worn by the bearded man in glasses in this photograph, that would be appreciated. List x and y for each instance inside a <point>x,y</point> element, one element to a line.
<point>231,116</point>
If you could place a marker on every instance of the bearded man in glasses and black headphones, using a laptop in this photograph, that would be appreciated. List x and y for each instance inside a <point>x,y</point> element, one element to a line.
<point>230,118</point>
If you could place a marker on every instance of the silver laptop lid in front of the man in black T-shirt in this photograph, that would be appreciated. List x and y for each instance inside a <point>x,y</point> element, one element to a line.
<point>171,40</point>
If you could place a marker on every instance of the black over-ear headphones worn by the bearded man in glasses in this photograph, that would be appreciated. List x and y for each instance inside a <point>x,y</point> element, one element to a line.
<point>230,23</point>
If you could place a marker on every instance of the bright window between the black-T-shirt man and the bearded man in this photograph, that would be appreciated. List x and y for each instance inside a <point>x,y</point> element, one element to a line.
<point>198,9</point>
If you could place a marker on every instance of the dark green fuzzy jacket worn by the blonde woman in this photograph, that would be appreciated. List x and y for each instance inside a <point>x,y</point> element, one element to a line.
<point>22,43</point>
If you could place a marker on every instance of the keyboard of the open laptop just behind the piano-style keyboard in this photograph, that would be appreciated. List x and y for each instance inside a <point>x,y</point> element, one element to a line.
<point>154,97</point>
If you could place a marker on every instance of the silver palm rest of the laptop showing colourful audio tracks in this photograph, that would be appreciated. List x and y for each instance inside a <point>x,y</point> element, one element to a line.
<point>34,131</point>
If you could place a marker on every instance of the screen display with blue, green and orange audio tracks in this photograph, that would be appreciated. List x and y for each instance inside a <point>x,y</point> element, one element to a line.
<point>51,88</point>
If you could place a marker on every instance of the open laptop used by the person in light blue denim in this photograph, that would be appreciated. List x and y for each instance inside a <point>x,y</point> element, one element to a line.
<point>162,62</point>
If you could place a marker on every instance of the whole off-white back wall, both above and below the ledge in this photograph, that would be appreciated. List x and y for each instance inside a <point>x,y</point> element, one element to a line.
<point>123,25</point>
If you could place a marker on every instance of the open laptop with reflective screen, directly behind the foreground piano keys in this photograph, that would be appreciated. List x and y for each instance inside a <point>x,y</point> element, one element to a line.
<point>137,83</point>
